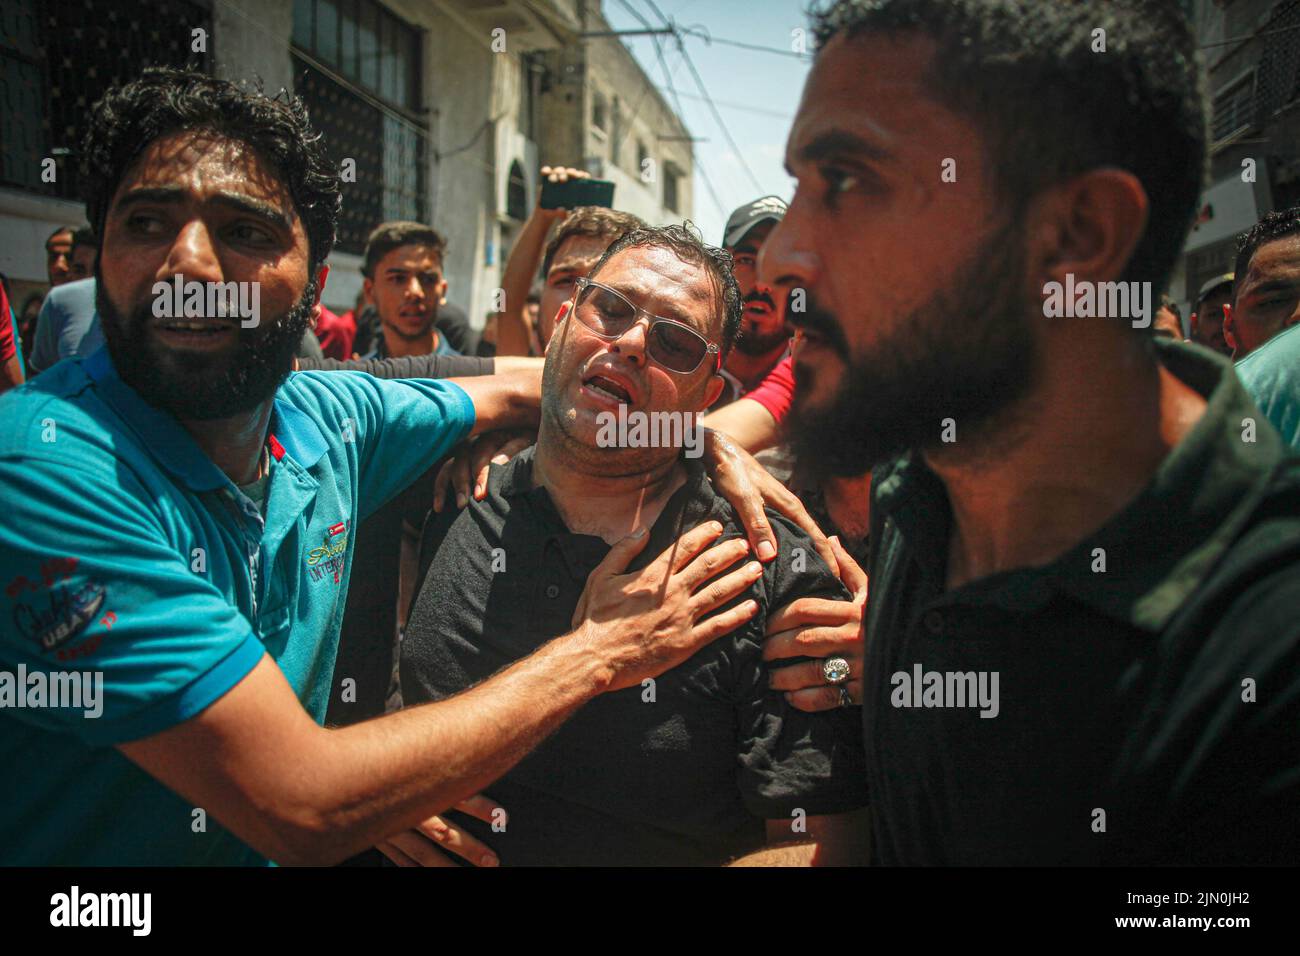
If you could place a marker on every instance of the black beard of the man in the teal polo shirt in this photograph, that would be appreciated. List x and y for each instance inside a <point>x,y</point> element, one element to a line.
<point>203,387</point>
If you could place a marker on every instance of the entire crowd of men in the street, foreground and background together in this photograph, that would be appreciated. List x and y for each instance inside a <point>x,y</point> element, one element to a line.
<point>1098,517</point>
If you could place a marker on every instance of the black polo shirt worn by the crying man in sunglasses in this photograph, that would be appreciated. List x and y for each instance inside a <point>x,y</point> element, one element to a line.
<point>684,778</point>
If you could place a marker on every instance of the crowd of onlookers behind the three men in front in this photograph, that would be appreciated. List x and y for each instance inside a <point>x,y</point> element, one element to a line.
<point>402,309</point>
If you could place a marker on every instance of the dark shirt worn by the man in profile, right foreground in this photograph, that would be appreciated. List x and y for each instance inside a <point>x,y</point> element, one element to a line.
<point>1149,713</point>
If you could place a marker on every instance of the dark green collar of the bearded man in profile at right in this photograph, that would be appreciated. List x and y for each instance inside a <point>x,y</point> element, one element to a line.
<point>1164,543</point>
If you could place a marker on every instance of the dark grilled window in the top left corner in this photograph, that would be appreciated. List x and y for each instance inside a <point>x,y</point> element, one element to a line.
<point>57,62</point>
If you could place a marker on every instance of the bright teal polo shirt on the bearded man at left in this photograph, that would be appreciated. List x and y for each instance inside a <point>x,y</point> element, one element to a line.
<point>127,553</point>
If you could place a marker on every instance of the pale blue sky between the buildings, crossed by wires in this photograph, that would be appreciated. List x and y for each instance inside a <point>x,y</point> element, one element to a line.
<point>756,93</point>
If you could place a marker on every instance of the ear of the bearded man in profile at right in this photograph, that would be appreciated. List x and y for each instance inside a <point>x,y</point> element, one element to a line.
<point>1090,226</point>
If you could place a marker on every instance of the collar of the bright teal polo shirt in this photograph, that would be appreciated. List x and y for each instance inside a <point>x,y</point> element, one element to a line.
<point>167,440</point>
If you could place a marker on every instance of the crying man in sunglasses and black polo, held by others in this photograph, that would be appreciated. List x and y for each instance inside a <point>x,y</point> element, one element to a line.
<point>684,769</point>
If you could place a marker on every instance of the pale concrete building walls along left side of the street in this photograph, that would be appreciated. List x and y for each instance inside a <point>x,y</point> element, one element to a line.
<point>473,100</point>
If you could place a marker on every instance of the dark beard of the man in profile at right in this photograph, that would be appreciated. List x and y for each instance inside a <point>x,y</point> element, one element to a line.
<point>967,354</point>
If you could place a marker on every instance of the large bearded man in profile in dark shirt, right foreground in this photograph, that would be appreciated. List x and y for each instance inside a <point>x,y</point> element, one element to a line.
<point>1082,634</point>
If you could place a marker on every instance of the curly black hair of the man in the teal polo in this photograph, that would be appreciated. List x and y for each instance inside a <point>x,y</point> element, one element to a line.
<point>162,102</point>
